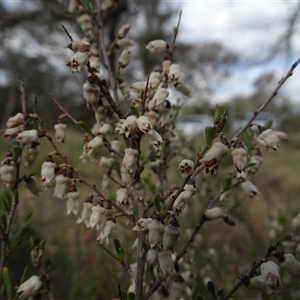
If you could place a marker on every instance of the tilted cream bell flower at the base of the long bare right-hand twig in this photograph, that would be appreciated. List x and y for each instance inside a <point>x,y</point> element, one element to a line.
<point>213,156</point>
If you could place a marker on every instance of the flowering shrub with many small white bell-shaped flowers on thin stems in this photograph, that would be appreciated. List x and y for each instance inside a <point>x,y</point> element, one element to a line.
<point>128,146</point>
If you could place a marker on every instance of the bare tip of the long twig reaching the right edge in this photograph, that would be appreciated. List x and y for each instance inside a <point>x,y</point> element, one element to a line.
<point>273,94</point>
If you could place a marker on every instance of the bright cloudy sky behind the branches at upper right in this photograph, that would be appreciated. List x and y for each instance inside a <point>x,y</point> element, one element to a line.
<point>247,27</point>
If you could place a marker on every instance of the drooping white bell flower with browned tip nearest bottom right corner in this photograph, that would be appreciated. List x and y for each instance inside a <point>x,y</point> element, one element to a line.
<point>271,275</point>
